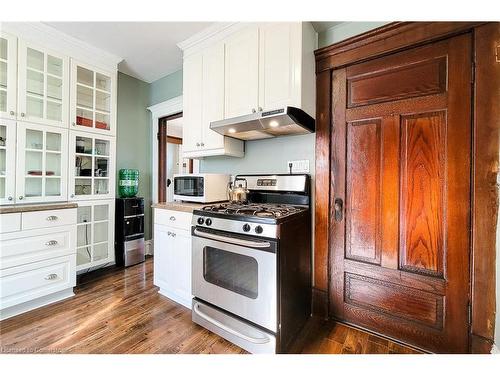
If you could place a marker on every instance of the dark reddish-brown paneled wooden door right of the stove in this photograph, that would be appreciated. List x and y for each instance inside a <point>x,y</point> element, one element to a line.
<point>401,187</point>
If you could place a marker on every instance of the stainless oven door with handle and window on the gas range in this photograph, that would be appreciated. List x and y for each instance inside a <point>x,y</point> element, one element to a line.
<point>237,274</point>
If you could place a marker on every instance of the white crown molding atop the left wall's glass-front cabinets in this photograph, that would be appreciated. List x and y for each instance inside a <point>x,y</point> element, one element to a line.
<point>47,36</point>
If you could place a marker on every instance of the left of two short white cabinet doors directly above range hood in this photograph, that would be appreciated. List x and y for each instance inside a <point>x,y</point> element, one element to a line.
<point>242,73</point>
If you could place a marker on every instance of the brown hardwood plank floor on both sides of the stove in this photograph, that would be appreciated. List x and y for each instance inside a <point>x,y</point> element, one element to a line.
<point>120,311</point>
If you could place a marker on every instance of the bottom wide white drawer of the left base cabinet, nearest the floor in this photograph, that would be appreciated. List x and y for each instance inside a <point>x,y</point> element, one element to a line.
<point>24,283</point>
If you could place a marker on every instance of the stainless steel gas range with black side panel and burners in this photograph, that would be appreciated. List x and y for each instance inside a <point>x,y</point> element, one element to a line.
<point>252,264</point>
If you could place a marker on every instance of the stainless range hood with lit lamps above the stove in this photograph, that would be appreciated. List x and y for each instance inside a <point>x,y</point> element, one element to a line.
<point>268,124</point>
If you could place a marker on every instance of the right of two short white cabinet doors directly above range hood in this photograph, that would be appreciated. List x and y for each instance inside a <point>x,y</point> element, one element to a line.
<point>279,65</point>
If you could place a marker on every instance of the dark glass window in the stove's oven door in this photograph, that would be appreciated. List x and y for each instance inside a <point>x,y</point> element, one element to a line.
<point>235,272</point>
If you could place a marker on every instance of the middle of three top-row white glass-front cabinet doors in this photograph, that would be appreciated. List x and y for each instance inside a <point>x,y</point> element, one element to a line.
<point>43,86</point>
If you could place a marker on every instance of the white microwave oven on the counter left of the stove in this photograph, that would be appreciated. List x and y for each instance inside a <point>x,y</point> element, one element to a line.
<point>201,187</point>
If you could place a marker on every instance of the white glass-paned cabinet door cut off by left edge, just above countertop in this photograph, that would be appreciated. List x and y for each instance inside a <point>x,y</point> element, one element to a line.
<point>7,161</point>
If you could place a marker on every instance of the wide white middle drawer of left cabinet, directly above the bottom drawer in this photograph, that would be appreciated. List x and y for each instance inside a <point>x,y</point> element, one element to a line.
<point>24,247</point>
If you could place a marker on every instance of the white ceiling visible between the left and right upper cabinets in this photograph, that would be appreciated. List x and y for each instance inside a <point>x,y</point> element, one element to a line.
<point>149,49</point>
